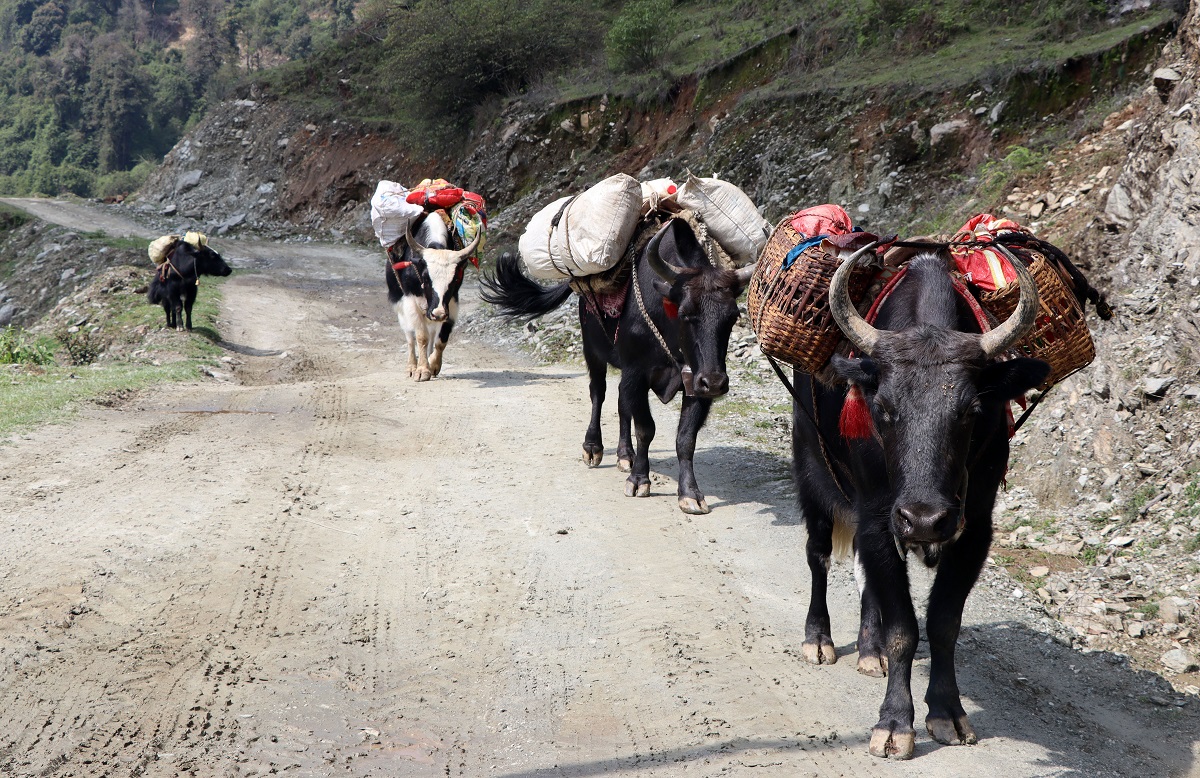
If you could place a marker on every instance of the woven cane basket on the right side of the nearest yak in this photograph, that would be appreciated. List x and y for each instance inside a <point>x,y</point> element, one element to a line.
<point>1060,334</point>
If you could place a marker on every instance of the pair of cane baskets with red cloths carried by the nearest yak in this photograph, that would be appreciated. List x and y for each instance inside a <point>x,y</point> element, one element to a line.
<point>789,302</point>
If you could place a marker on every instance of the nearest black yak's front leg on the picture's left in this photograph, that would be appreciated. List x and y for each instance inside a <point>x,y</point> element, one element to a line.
<point>887,579</point>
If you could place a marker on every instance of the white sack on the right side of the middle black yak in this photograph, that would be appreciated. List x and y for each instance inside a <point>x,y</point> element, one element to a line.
<point>731,217</point>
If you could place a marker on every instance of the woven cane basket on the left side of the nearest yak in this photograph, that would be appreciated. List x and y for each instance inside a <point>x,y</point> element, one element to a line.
<point>790,307</point>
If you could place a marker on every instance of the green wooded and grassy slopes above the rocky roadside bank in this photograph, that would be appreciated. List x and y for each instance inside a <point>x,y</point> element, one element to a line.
<point>93,93</point>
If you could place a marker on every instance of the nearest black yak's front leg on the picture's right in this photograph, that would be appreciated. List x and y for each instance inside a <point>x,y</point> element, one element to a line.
<point>957,574</point>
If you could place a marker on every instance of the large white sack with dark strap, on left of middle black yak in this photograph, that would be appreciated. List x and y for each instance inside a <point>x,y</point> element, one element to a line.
<point>591,236</point>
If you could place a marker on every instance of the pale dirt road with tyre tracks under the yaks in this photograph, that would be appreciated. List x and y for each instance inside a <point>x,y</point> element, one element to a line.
<point>327,570</point>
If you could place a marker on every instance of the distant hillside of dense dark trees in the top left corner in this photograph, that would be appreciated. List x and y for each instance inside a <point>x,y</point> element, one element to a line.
<point>93,93</point>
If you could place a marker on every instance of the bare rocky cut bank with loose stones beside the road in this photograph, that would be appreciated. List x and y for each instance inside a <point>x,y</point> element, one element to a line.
<point>1097,152</point>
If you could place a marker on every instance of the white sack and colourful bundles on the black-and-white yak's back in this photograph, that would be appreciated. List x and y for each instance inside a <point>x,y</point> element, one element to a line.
<point>395,208</point>
